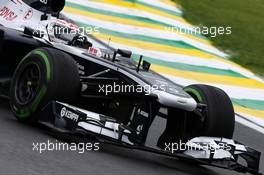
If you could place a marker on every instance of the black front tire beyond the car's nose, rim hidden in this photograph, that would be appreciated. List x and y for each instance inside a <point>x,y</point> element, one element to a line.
<point>219,114</point>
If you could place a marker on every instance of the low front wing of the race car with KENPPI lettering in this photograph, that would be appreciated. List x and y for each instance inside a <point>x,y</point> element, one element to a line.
<point>203,150</point>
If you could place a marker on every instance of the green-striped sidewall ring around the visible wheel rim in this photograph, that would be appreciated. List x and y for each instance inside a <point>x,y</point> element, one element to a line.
<point>26,111</point>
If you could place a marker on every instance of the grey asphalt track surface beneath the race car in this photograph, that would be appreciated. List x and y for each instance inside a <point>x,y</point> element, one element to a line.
<point>17,156</point>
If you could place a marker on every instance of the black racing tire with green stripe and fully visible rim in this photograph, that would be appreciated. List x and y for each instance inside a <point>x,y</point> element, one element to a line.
<point>44,75</point>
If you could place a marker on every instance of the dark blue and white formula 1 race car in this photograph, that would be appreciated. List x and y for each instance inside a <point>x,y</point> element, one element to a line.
<point>54,74</point>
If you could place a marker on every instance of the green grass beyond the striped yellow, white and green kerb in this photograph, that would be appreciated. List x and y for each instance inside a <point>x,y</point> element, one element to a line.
<point>246,17</point>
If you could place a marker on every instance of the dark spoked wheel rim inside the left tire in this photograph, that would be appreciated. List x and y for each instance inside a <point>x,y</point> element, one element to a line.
<point>28,84</point>
